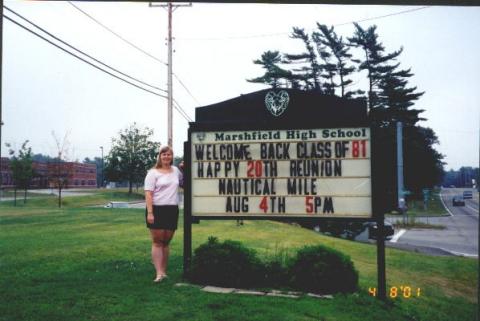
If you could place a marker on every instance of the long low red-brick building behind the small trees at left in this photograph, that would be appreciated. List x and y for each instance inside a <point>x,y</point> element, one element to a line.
<point>78,175</point>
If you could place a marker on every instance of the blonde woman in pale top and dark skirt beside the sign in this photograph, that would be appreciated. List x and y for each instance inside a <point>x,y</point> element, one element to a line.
<point>161,214</point>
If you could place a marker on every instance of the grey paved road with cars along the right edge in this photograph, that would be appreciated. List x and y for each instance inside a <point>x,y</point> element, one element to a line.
<point>460,237</point>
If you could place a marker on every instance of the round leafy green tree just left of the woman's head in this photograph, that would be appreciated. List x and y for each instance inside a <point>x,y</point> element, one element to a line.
<point>131,155</point>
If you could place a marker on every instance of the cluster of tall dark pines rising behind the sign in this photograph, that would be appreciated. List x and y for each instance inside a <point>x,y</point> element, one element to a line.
<point>331,64</point>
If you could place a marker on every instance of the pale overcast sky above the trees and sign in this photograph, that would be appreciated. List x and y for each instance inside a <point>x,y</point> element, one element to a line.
<point>45,89</point>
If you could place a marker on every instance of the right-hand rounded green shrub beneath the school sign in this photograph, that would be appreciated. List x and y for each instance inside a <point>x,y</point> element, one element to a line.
<point>320,269</point>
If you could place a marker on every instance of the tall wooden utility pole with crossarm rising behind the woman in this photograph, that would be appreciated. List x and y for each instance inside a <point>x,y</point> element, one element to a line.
<point>170,7</point>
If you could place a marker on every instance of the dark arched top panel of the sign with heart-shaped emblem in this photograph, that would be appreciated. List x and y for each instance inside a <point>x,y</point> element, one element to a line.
<point>284,107</point>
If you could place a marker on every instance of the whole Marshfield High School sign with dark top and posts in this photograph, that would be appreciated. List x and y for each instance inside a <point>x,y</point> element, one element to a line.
<point>282,154</point>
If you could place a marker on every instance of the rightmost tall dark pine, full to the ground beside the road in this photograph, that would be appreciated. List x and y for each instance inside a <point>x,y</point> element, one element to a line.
<point>390,101</point>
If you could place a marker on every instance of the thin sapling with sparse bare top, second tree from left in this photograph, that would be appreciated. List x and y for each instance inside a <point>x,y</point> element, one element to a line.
<point>58,169</point>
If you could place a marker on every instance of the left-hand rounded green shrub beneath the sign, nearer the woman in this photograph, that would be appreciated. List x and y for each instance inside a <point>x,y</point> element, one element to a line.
<point>228,264</point>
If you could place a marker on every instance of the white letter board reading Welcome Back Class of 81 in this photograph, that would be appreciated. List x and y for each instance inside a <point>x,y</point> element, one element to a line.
<point>282,173</point>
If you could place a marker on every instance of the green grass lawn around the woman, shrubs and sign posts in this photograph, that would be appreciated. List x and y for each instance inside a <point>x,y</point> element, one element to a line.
<point>83,263</point>
